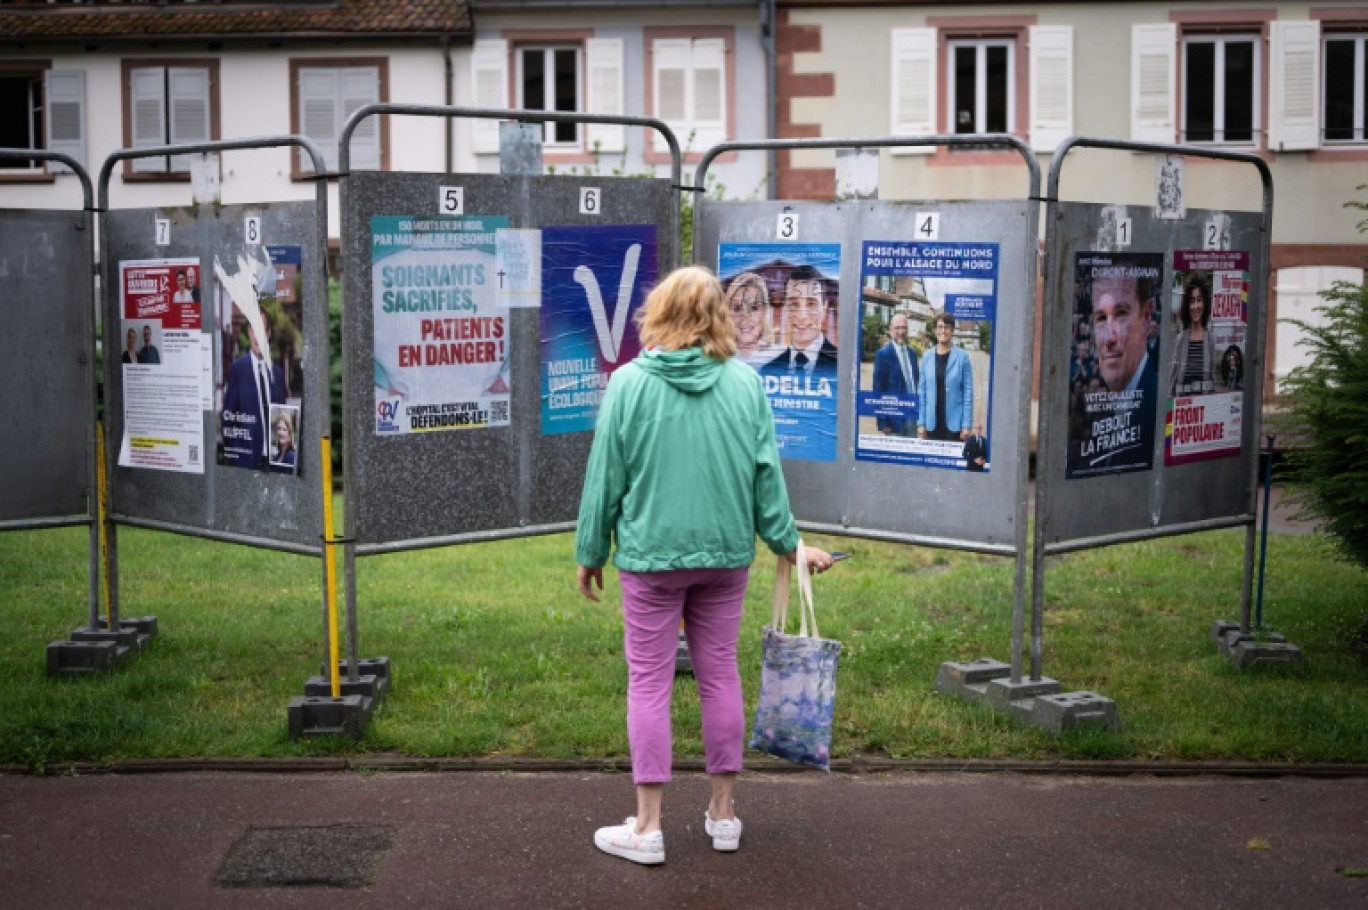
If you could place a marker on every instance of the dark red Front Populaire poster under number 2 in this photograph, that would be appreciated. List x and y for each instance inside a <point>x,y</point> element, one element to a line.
<point>1210,315</point>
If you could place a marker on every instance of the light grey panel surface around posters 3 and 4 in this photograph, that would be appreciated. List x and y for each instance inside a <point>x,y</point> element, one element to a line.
<point>897,502</point>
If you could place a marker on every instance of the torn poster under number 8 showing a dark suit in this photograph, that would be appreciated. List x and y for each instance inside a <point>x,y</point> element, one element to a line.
<point>259,387</point>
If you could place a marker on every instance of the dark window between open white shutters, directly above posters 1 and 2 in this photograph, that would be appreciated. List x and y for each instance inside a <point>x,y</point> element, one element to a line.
<point>1221,90</point>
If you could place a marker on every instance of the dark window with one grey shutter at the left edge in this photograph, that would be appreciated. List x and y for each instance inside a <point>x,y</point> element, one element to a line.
<point>42,110</point>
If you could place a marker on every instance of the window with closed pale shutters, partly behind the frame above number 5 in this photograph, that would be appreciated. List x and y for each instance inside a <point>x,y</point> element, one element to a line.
<point>329,92</point>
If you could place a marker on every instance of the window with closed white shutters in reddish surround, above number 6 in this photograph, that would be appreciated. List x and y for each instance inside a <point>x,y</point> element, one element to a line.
<point>689,91</point>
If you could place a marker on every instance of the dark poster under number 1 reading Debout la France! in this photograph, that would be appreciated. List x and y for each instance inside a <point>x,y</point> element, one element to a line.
<point>1114,363</point>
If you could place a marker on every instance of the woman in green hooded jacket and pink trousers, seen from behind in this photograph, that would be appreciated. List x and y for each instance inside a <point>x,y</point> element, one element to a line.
<point>685,474</point>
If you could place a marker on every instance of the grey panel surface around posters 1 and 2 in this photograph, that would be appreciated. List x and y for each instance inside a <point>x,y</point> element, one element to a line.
<point>1144,502</point>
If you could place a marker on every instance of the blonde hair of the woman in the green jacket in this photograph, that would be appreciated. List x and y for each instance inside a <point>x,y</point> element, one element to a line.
<point>689,310</point>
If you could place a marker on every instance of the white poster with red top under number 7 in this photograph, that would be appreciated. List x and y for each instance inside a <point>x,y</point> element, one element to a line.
<point>165,365</point>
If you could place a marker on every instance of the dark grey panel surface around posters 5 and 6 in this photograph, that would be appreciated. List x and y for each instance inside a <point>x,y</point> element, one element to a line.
<point>443,488</point>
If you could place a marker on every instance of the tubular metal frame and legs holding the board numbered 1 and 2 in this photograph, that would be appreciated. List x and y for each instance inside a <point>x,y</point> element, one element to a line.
<point>1051,362</point>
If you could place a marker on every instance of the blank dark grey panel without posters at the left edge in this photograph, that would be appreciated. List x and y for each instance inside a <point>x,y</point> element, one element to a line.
<point>47,366</point>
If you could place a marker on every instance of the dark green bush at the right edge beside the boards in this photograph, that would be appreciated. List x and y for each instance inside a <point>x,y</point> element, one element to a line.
<point>1329,417</point>
